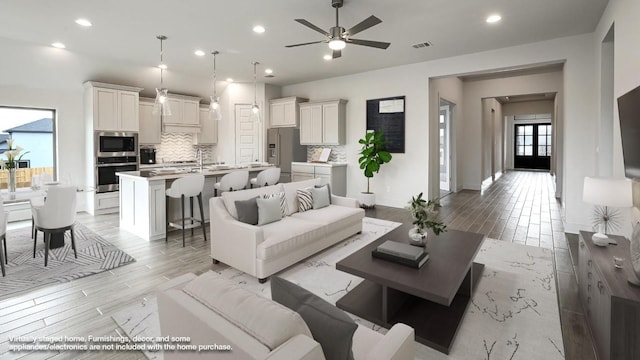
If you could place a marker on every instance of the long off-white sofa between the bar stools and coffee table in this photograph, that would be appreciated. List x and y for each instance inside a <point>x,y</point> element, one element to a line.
<point>264,250</point>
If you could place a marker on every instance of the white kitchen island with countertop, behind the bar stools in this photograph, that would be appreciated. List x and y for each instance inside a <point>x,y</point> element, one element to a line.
<point>142,197</point>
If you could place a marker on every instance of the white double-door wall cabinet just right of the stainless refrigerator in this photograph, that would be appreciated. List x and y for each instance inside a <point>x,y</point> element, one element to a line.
<point>323,123</point>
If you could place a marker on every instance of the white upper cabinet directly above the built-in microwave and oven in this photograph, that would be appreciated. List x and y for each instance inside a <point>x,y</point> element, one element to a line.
<point>112,107</point>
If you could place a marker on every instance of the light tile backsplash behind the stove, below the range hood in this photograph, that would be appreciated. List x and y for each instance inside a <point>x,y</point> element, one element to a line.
<point>179,147</point>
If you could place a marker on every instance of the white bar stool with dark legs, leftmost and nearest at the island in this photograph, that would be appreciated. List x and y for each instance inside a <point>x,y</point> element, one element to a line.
<point>188,186</point>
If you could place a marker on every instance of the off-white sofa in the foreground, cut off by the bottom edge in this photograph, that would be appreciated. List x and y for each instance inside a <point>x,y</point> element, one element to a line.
<point>212,310</point>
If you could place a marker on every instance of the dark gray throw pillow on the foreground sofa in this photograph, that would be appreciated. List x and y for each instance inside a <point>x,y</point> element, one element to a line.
<point>330,326</point>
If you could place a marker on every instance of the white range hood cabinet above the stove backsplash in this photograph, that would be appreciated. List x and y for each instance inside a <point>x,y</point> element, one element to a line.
<point>185,113</point>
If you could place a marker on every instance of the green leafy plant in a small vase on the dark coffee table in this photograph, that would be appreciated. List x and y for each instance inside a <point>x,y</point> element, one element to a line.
<point>424,215</point>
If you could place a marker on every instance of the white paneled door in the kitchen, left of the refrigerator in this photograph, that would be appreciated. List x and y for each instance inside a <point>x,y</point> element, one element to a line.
<point>247,136</point>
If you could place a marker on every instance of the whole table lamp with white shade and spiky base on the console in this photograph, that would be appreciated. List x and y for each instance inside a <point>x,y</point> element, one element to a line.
<point>606,193</point>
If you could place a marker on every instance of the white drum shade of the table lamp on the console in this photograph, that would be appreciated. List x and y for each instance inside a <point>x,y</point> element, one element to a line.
<point>607,192</point>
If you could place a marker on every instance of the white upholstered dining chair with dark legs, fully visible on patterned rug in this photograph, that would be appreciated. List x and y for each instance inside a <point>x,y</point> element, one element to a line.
<point>56,214</point>
